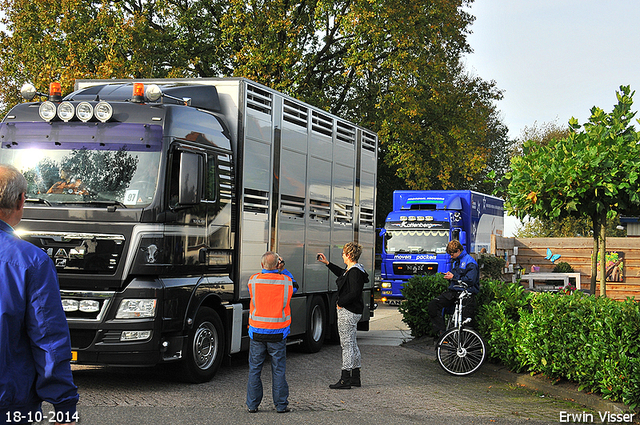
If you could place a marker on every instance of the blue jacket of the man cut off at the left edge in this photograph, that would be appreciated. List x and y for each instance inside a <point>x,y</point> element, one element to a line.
<point>35,347</point>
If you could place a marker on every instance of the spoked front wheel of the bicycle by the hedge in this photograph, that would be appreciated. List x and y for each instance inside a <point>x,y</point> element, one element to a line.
<point>461,352</point>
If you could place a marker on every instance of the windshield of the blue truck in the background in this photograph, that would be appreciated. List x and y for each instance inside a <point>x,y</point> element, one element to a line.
<point>416,241</point>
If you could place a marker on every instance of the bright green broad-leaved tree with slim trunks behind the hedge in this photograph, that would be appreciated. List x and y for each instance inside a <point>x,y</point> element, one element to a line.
<point>592,172</point>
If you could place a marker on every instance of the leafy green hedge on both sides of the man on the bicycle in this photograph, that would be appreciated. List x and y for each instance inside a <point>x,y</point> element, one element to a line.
<point>592,341</point>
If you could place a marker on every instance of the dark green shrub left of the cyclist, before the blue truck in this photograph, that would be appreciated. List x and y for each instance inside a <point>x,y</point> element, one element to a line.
<point>418,292</point>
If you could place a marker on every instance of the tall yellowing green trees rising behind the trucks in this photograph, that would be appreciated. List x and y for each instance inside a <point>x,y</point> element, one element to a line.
<point>390,66</point>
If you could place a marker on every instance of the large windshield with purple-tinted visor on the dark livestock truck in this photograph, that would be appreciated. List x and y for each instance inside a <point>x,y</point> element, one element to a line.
<point>85,163</point>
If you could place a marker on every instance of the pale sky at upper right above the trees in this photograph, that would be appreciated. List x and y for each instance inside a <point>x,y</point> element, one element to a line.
<point>555,59</point>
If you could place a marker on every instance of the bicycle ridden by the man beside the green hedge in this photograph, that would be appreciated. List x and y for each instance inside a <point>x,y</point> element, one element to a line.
<point>461,350</point>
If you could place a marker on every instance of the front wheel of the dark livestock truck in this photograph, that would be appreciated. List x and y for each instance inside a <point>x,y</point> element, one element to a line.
<point>205,347</point>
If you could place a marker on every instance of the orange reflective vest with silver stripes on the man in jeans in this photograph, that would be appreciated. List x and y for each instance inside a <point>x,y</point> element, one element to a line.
<point>270,296</point>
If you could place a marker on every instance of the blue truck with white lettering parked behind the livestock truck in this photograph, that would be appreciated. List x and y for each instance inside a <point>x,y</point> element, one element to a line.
<point>416,233</point>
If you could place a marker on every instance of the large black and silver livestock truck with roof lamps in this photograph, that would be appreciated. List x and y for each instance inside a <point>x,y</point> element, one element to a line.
<point>155,199</point>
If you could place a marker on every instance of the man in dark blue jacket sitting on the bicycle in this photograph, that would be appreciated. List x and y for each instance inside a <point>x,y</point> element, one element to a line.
<point>463,268</point>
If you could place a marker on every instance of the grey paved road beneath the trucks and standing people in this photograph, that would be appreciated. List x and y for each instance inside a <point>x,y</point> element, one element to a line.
<point>400,384</point>
